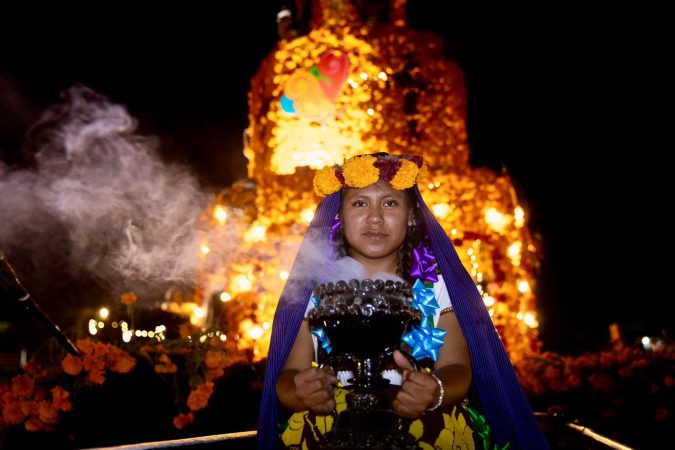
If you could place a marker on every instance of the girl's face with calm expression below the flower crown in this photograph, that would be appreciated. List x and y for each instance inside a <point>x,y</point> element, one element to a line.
<point>375,222</point>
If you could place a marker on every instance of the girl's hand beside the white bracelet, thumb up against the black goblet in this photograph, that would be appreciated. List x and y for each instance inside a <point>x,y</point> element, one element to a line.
<point>419,391</point>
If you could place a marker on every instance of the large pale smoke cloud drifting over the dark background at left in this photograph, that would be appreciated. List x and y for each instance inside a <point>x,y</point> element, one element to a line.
<point>101,196</point>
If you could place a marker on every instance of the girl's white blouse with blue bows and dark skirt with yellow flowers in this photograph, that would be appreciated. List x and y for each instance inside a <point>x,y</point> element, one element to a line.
<point>450,427</point>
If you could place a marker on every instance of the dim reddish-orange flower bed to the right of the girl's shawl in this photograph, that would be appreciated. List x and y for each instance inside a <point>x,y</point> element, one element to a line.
<point>615,381</point>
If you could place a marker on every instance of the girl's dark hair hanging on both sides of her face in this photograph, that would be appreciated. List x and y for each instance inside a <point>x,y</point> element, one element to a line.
<point>412,239</point>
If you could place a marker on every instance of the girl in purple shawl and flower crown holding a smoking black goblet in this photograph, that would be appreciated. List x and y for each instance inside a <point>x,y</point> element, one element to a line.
<point>374,214</point>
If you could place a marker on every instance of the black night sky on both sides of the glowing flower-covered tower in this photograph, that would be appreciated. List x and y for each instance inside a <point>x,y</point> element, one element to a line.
<point>567,102</point>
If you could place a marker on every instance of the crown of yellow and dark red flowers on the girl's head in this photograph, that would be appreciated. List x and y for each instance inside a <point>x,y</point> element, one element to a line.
<point>400,171</point>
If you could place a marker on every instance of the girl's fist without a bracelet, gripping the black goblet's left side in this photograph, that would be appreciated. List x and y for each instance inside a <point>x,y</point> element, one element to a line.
<point>314,387</point>
